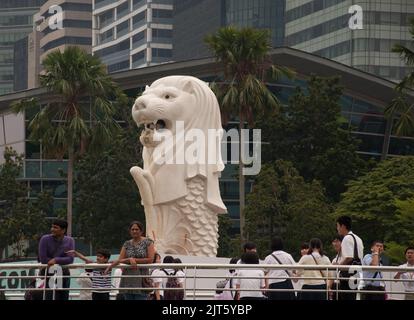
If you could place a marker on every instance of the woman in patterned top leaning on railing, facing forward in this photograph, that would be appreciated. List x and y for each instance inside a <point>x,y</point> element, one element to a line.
<point>138,250</point>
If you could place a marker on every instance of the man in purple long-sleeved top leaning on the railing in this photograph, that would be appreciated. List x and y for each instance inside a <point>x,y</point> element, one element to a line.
<point>52,251</point>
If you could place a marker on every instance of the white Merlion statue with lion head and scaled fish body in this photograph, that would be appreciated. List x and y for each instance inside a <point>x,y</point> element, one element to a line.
<point>179,183</point>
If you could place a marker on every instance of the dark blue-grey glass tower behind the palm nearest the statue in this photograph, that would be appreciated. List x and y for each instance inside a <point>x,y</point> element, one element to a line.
<point>193,20</point>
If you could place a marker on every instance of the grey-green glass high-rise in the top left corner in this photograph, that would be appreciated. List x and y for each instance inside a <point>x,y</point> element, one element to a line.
<point>16,22</point>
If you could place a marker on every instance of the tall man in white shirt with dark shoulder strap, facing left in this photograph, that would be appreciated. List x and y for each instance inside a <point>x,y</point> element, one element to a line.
<point>352,251</point>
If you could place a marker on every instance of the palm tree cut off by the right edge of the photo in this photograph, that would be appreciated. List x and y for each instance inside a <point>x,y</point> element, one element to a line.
<point>402,106</point>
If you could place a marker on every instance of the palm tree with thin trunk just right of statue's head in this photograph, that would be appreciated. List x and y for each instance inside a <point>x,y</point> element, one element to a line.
<point>245,56</point>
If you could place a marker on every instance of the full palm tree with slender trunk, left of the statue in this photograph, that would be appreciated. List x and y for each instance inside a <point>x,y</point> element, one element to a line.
<point>81,116</point>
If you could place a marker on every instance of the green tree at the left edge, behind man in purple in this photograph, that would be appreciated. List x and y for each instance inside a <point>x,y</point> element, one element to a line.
<point>20,218</point>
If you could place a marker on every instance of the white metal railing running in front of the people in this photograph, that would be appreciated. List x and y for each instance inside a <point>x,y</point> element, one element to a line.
<point>200,279</point>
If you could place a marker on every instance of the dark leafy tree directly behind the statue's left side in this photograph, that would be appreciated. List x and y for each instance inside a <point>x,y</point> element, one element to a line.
<point>107,198</point>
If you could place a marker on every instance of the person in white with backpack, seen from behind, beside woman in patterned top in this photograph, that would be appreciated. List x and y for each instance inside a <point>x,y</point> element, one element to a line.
<point>170,281</point>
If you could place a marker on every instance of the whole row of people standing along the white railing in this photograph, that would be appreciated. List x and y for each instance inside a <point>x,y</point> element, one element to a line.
<point>140,283</point>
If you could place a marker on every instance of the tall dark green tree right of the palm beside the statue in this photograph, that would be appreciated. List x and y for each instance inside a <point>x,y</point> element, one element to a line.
<point>310,133</point>
